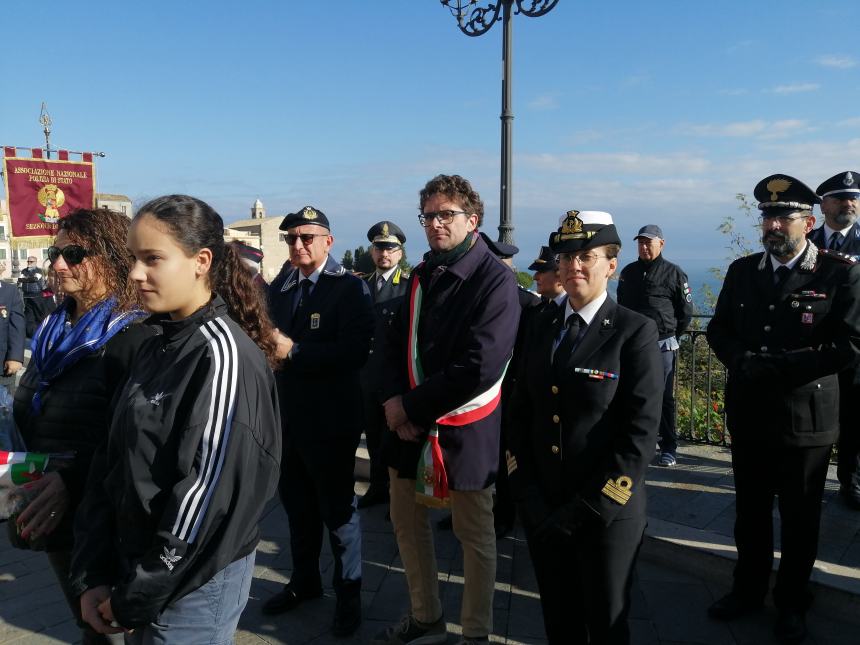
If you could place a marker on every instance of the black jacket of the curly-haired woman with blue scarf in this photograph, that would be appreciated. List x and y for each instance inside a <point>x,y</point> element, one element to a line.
<point>75,414</point>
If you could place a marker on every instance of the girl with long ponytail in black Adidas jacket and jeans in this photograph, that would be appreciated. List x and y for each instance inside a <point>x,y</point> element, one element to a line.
<point>166,535</point>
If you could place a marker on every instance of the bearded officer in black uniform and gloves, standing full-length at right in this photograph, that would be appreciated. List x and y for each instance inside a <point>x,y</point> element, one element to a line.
<point>786,322</point>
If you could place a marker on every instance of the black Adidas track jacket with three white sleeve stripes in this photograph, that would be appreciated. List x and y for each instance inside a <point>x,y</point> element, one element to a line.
<point>192,459</point>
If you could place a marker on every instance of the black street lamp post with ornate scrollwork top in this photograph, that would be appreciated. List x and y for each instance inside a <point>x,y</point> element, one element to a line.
<point>479,21</point>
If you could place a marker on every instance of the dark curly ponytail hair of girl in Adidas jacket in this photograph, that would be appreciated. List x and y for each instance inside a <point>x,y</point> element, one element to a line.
<point>195,225</point>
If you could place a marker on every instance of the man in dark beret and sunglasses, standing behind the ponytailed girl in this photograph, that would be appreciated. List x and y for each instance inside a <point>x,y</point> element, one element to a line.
<point>324,315</point>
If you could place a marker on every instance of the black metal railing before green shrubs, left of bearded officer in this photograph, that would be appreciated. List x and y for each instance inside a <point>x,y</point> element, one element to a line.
<point>700,386</point>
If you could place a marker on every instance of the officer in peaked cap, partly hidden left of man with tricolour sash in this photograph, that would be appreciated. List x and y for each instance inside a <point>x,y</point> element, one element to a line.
<point>387,286</point>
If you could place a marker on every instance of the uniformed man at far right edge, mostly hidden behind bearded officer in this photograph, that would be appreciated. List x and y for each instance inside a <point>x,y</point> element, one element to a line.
<point>840,203</point>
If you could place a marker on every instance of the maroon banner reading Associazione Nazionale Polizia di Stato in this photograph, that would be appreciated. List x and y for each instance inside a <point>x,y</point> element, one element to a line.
<point>41,192</point>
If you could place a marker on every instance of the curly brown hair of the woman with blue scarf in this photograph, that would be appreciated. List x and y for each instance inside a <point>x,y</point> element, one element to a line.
<point>103,233</point>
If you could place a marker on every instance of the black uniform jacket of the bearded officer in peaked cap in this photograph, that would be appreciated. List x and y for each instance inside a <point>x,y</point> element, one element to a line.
<point>783,346</point>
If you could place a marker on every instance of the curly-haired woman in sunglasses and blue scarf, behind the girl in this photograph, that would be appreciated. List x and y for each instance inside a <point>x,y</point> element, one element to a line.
<point>80,355</point>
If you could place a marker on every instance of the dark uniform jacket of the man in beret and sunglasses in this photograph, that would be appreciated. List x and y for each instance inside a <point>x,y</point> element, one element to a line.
<point>319,383</point>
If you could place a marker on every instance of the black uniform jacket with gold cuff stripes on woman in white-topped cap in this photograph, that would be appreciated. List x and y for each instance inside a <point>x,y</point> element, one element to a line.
<point>583,439</point>
